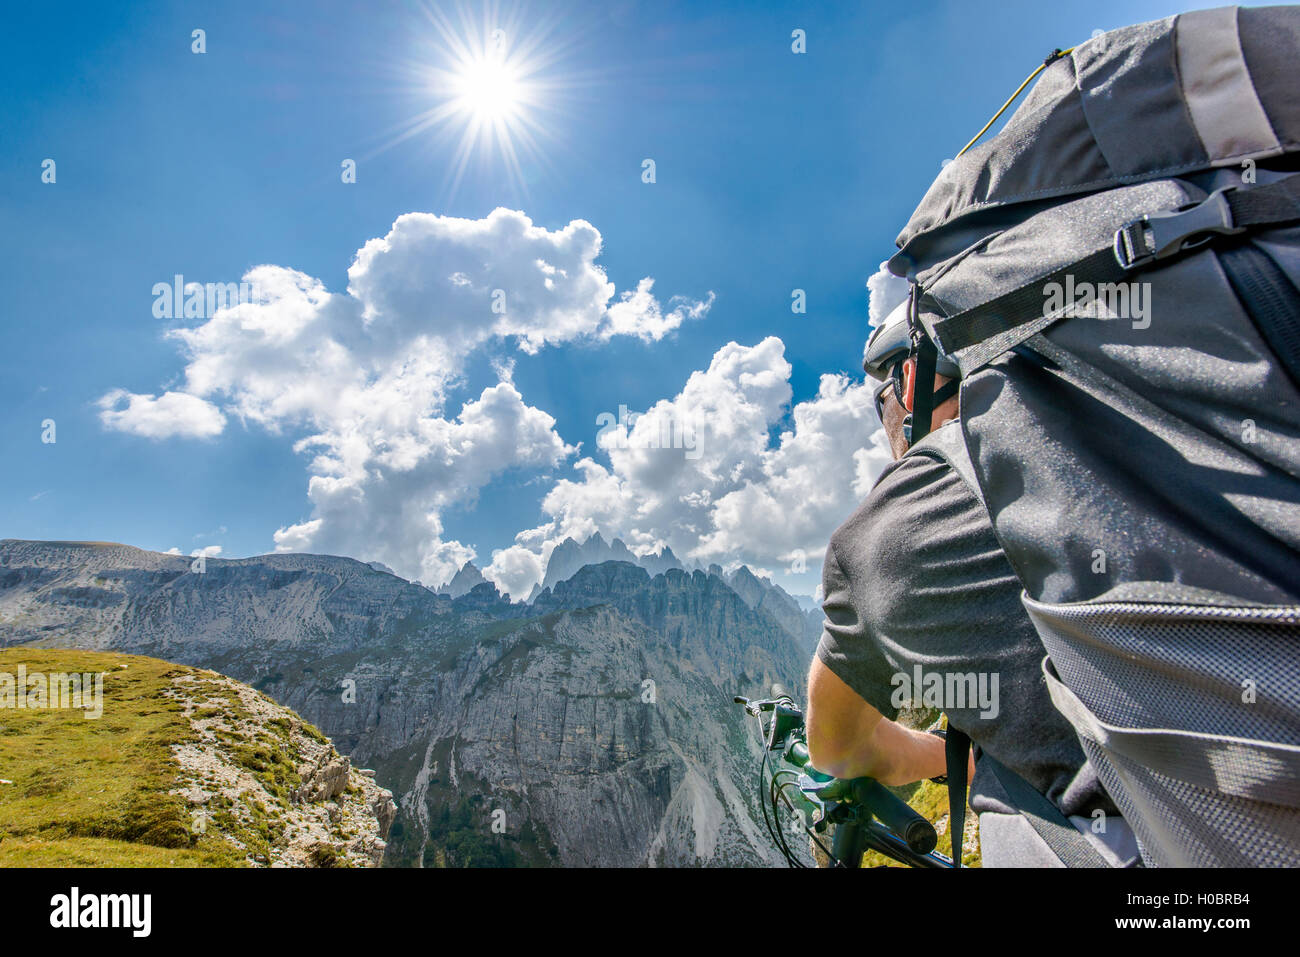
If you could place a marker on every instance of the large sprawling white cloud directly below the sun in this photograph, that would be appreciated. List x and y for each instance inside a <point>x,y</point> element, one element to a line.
<point>359,380</point>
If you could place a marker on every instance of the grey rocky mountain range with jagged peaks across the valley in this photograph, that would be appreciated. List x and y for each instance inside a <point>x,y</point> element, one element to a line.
<point>593,728</point>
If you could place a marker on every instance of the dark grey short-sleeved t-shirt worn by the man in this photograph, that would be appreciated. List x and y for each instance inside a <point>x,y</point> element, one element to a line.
<point>917,578</point>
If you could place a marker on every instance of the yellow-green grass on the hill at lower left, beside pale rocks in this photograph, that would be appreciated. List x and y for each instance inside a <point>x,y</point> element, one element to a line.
<point>96,793</point>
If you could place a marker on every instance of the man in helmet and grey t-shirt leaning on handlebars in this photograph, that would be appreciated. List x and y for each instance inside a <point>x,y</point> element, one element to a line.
<point>917,587</point>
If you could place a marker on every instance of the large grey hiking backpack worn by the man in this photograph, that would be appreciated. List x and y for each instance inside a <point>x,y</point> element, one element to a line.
<point>1116,274</point>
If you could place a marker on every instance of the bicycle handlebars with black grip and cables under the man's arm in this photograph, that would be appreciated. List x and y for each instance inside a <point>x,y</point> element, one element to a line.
<point>866,816</point>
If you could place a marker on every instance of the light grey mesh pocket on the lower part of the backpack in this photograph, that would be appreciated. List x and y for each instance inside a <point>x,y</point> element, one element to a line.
<point>1191,718</point>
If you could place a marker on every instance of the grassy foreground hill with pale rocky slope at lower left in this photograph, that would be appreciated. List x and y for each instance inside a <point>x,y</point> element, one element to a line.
<point>159,764</point>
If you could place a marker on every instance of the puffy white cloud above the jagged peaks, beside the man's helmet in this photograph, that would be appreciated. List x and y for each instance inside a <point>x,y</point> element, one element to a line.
<point>734,493</point>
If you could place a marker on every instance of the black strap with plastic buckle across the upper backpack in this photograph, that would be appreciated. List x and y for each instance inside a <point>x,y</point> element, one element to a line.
<point>1004,323</point>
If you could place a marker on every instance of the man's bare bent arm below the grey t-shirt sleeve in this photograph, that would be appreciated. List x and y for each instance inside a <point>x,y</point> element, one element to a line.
<point>851,739</point>
